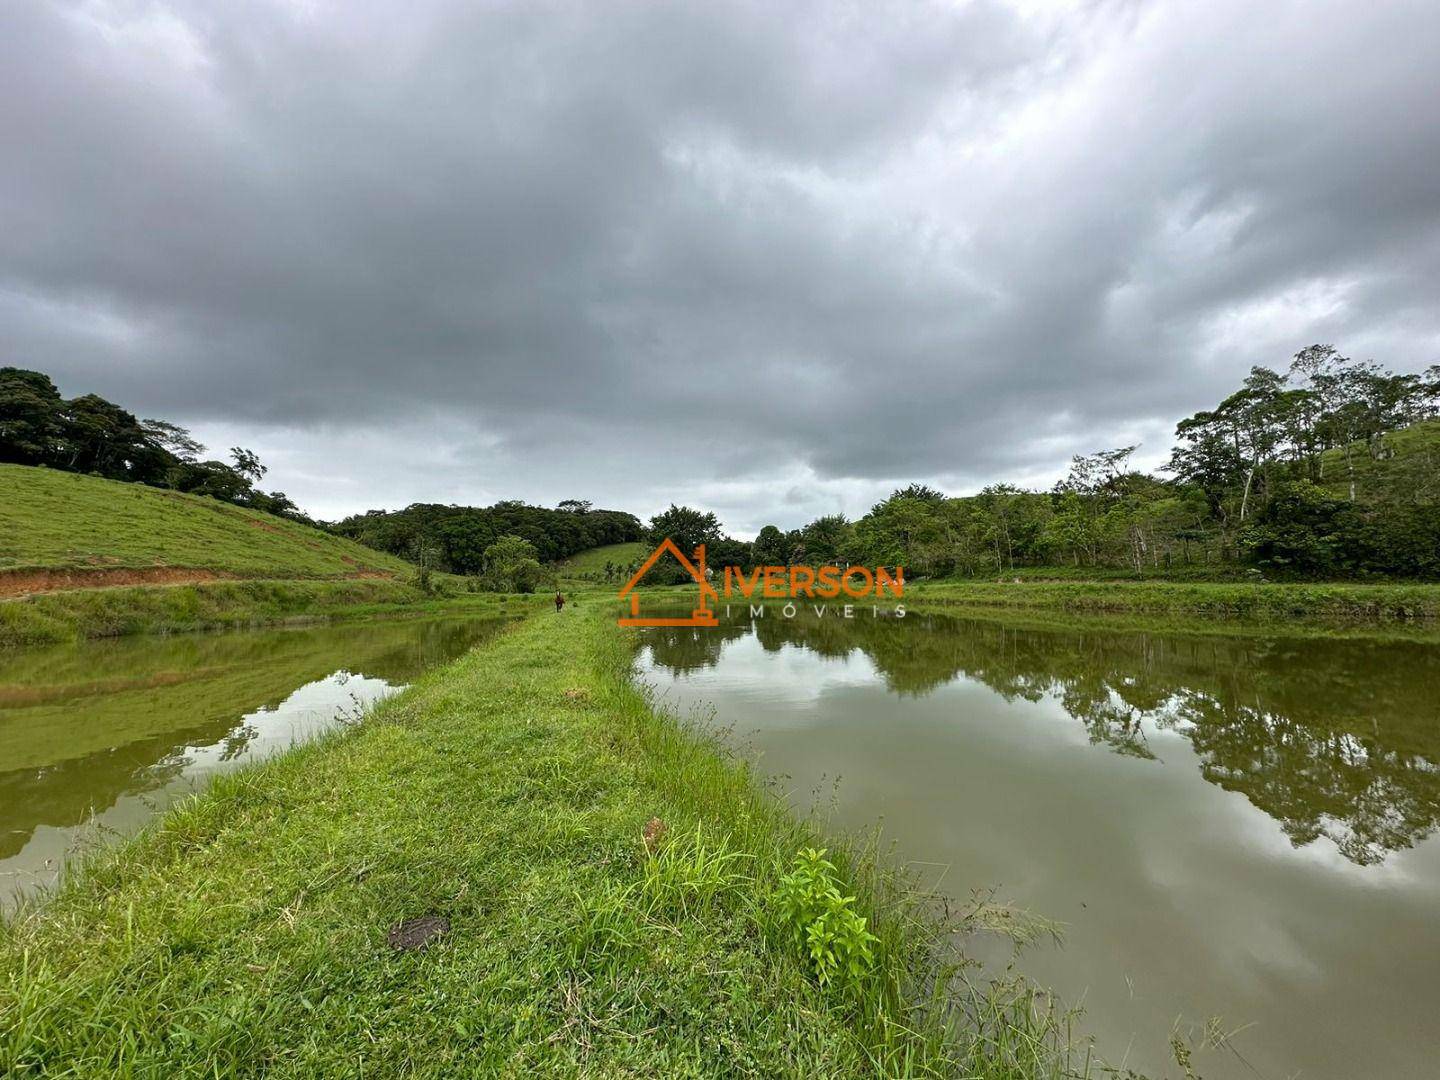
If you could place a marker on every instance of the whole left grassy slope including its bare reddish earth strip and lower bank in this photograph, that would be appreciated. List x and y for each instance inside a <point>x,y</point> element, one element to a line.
<point>89,558</point>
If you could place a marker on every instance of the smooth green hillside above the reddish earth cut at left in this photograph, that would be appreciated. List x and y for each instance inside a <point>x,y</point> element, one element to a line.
<point>100,529</point>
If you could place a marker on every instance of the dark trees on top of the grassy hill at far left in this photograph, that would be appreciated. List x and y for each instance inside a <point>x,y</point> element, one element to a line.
<point>93,436</point>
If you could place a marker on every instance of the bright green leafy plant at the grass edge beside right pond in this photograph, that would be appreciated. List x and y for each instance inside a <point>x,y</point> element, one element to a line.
<point>823,922</point>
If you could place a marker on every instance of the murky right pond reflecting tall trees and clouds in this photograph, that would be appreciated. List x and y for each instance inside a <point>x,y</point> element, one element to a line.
<point>1236,827</point>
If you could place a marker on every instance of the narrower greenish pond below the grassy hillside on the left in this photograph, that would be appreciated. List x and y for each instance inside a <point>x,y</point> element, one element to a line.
<point>97,738</point>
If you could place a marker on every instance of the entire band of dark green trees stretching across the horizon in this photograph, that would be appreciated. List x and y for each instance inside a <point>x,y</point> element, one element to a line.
<point>1330,469</point>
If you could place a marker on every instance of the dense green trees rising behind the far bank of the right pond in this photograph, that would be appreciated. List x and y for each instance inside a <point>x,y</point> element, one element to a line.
<point>1327,470</point>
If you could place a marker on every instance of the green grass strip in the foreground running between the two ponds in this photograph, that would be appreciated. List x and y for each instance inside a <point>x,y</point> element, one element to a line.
<point>247,932</point>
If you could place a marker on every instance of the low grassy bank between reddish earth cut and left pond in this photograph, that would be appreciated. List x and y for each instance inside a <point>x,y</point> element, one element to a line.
<point>81,614</point>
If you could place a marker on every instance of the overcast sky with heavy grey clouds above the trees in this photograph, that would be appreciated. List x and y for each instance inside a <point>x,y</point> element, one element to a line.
<point>774,260</point>
